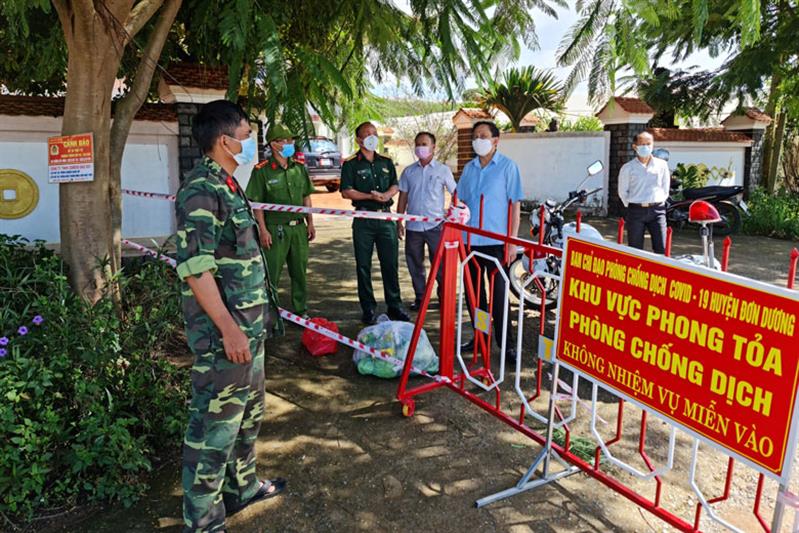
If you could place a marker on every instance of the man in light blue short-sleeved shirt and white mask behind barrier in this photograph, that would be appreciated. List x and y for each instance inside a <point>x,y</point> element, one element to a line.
<point>497,180</point>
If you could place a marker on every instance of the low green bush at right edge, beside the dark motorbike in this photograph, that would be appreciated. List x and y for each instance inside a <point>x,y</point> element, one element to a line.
<point>773,215</point>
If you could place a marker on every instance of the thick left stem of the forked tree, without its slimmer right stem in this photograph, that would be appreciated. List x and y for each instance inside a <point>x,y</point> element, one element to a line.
<point>95,52</point>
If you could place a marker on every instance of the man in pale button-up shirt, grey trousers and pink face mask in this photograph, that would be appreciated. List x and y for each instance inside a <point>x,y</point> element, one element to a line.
<point>421,188</point>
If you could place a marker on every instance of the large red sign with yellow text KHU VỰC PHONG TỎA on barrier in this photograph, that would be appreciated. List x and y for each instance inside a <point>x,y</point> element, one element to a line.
<point>713,352</point>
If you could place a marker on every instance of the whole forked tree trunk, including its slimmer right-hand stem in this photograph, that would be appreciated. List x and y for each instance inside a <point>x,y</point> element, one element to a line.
<point>96,35</point>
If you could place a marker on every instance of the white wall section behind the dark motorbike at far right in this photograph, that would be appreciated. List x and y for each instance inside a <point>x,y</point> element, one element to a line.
<point>711,154</point>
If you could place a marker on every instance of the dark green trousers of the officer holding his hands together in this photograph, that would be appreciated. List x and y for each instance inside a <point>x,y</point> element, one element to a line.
<point>368,234</point>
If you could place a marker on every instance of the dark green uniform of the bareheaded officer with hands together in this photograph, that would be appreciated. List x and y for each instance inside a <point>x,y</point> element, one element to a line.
<point>366,176</point>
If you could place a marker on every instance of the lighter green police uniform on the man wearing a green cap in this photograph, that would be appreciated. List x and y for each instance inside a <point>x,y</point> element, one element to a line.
<point>271,183</point>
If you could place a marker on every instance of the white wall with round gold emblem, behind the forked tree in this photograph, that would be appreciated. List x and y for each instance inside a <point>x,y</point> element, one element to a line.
<point>150,163</point>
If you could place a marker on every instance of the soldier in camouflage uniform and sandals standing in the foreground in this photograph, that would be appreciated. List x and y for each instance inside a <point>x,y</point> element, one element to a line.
<point>229,309</point>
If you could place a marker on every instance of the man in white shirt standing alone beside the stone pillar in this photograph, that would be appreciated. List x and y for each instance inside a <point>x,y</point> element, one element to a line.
<point>643,189</point>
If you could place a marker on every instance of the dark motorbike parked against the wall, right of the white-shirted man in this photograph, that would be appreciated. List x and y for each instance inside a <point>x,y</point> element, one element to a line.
<point>726,199</point>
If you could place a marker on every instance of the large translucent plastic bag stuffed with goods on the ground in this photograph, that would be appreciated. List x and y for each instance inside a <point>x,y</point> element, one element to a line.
<point>393,338</point>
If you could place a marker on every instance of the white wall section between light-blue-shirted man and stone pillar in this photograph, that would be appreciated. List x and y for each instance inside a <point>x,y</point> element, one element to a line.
<point>552,164</point>
